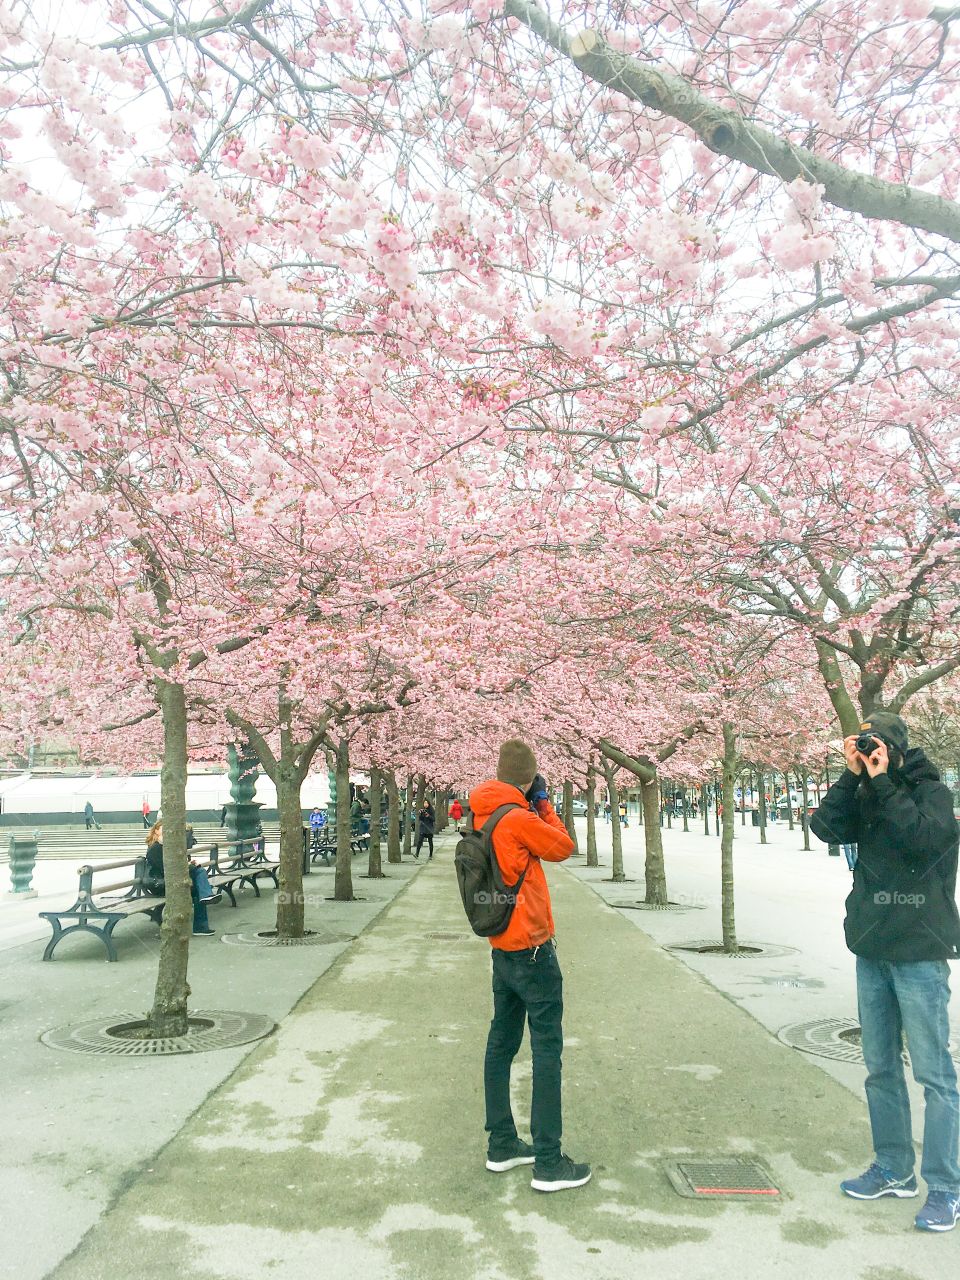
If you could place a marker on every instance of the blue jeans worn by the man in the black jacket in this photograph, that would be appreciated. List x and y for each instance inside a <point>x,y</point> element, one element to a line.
<point>912,1000</point>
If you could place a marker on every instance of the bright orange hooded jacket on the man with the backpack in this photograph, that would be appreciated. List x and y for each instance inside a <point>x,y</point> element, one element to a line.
<point>522,839</point>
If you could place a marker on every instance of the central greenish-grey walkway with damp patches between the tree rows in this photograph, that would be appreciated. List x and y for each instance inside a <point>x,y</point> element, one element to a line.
<point>350,1145</point>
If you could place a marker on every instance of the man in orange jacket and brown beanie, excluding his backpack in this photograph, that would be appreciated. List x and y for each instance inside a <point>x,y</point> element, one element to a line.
<point>528,985</point>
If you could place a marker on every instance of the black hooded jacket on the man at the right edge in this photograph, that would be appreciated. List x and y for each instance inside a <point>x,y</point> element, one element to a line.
<point>903,906</point>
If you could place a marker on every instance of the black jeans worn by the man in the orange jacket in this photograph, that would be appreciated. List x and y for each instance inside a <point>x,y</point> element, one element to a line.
<point>528,986</point>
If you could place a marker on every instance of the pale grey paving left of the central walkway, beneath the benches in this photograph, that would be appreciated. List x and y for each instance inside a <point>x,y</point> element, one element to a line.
<point>77,1131</point>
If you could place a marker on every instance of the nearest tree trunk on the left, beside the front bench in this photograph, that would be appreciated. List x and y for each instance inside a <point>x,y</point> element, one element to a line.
<point>170,1013</point>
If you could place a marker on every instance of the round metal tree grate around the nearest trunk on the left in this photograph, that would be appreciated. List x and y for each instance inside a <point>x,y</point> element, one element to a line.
<point>121,1035</point>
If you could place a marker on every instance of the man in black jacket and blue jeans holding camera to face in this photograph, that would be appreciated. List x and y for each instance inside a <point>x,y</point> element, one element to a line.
<point>902,924</point>
